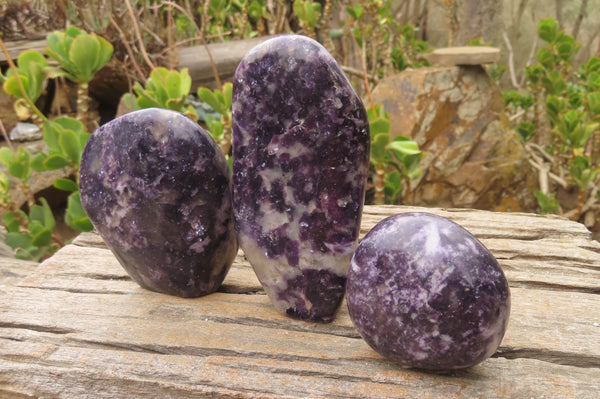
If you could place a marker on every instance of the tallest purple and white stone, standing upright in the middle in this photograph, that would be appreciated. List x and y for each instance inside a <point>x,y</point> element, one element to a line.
<point>300,162</point>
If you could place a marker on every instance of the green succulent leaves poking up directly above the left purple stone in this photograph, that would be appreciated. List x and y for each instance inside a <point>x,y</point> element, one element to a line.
<point>164,89</point>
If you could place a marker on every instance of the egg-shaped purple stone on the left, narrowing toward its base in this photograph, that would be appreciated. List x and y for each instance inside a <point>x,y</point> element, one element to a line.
<point>157,188</point>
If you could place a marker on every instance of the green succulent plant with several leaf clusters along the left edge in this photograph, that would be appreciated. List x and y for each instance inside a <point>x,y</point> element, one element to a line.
<point>31,231</point>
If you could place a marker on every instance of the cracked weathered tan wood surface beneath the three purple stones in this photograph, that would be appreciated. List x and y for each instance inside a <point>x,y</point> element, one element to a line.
<point>78,327</point>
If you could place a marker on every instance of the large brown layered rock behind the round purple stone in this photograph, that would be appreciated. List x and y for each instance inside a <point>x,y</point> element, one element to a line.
<point>472,160</point>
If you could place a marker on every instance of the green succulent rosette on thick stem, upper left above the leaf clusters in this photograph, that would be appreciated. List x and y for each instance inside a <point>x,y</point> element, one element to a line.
<point>80,56</point>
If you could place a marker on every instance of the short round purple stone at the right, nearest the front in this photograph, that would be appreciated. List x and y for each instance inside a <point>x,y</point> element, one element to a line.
<point>426,293</point>
